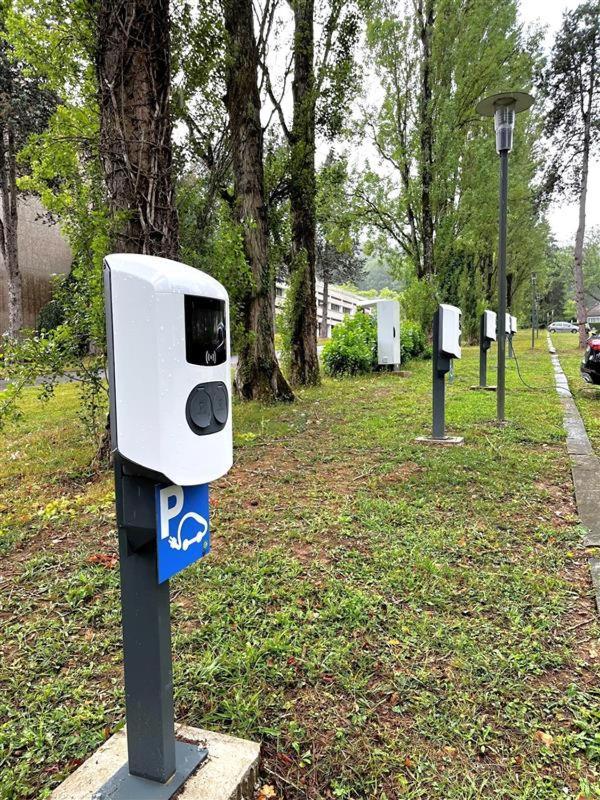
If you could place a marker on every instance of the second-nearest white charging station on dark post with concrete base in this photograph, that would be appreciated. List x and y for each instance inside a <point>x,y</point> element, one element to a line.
<point>446,346</point>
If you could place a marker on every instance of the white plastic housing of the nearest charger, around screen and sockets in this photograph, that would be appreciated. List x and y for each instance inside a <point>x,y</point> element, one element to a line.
<point>150,376</point>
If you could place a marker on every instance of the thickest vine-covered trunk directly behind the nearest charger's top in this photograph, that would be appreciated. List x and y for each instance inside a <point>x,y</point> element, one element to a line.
<point>133,69</point>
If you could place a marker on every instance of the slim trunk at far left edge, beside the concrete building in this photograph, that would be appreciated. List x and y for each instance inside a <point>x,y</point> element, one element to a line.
<point>8,228</point>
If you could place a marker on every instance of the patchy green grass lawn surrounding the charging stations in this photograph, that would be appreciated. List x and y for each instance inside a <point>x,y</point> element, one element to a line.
<point>392,620</point>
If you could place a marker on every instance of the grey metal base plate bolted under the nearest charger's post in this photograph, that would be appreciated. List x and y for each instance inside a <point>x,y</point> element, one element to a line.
<point>124,786</point>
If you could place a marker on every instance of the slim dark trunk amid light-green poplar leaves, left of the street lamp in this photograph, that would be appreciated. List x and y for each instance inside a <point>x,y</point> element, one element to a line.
<point>426,19</point>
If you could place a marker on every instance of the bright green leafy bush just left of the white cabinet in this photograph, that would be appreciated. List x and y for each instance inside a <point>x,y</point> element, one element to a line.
<point>352,348</point>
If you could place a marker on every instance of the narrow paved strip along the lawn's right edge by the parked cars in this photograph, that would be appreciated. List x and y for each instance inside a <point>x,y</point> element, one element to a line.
<point>585,468</point>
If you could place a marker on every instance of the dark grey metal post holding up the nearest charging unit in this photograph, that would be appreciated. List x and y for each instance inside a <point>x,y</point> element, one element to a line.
<point>146,633</point>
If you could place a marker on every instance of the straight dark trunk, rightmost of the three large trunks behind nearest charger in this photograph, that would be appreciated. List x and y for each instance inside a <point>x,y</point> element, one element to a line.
<point>304,362</point>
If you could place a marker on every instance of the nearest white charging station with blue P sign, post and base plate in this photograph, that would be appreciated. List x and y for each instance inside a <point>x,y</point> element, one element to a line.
<point>170,417</point>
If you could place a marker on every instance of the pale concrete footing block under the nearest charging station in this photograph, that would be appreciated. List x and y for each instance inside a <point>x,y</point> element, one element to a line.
<point>229,773</point>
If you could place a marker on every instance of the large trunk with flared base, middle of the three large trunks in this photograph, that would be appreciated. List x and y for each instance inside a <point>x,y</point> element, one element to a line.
<point>258,375</point>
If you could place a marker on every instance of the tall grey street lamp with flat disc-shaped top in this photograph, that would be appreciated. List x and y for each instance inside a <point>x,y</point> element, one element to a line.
<point>503,108</point>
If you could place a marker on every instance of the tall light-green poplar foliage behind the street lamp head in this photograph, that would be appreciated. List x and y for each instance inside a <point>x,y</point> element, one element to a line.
<point>473,48</point>
